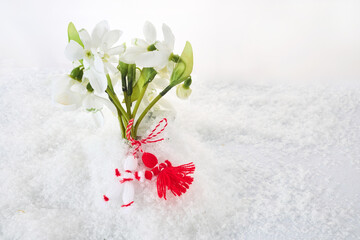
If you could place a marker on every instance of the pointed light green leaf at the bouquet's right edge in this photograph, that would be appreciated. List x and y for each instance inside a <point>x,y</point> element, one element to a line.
<point>183,67</point>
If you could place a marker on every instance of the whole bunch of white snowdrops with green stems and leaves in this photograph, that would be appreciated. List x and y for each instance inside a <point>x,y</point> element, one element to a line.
<point>99,66</point>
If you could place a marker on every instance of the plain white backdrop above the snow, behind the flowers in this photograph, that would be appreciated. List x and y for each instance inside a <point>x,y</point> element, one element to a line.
<point>248,40</point>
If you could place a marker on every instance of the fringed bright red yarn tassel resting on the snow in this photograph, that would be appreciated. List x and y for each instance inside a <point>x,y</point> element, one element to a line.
<point>175,179</point>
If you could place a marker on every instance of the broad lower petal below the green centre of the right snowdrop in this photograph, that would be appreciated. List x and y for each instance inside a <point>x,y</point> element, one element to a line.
<point>152,59</point>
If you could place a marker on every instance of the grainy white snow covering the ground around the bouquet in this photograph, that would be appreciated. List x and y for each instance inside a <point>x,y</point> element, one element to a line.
<point>273,161</point>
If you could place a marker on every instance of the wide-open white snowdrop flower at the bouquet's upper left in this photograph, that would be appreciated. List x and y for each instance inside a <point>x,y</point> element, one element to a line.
<point>97,54</point>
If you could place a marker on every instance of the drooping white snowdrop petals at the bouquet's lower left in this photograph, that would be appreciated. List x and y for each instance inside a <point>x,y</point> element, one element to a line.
<point>70,94</point>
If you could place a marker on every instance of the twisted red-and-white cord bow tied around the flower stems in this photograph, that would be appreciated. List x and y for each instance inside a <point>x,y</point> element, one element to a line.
<point>152,135</point>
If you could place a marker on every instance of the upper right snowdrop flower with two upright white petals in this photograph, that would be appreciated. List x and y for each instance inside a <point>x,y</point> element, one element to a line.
<point>150,52</point>
